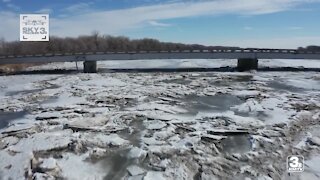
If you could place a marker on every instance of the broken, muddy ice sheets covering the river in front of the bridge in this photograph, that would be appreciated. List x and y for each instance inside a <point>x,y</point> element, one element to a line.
<point>158,125</point>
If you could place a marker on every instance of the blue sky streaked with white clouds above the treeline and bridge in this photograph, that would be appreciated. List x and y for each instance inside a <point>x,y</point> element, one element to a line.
<point>245,23</point>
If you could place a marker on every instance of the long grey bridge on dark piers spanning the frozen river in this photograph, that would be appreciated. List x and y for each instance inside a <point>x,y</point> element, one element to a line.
<point>247,58</point>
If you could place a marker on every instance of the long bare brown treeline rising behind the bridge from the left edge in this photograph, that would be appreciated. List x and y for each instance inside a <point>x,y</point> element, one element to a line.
<point>95,43</point>
